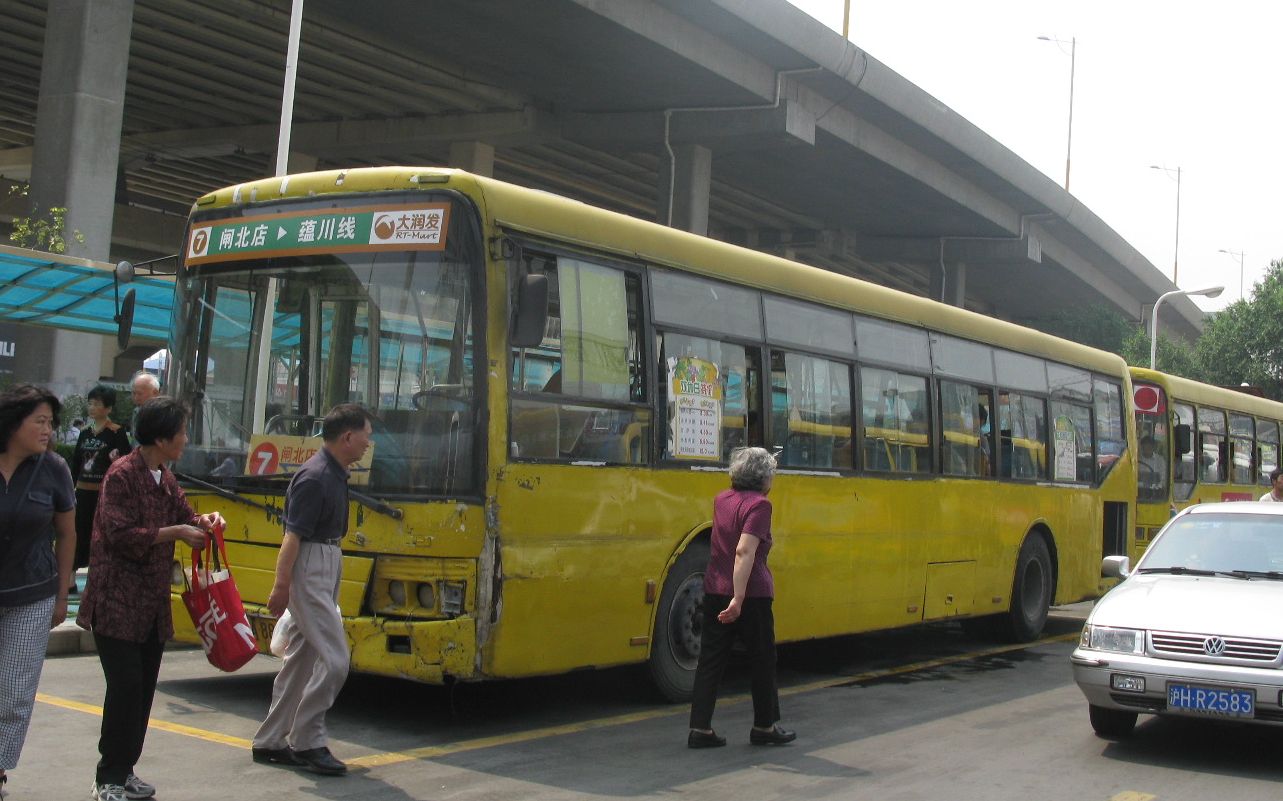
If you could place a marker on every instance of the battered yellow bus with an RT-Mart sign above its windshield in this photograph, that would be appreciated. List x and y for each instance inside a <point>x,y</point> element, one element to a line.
<point>559,390</point>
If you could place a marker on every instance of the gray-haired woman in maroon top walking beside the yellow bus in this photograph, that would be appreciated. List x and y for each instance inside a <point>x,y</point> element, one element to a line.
<point>738,595</point>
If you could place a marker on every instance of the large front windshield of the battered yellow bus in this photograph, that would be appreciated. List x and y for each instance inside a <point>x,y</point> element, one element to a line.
<point>392,331</point>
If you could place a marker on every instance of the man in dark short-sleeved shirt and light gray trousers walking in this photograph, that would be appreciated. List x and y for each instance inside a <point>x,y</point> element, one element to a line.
<point>309,569</point>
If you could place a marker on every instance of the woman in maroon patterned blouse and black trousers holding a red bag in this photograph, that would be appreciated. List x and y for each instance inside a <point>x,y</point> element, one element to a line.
<point>142,514</point>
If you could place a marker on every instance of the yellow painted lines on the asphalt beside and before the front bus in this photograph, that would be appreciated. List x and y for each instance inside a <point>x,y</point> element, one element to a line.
<point>393,758</point>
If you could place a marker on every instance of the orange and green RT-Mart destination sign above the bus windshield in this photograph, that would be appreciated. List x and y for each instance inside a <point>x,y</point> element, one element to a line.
<point>378,228</point>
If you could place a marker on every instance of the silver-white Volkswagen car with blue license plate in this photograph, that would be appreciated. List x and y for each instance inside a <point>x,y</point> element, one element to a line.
<point>1196,630</point>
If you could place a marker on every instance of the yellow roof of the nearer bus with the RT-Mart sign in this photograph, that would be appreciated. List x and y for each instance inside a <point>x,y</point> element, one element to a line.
<point>552,216</point>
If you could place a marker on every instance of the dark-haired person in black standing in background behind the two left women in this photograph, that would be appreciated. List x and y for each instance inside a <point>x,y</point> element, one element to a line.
<point>99,445</point>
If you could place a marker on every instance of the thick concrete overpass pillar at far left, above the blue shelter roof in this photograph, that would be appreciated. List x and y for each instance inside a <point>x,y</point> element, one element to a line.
<point>78,146</point>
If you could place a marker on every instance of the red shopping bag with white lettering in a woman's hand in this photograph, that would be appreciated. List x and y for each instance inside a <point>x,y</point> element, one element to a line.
<point>216,609</point>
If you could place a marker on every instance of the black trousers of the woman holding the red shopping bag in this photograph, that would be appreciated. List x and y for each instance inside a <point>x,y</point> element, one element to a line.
<point>132,672</point>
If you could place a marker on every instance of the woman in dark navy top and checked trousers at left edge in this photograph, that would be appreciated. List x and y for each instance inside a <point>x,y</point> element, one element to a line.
<point>35,512</point>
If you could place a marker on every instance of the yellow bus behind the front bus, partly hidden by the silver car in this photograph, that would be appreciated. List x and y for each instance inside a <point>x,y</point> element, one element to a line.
<point>1198,444</point>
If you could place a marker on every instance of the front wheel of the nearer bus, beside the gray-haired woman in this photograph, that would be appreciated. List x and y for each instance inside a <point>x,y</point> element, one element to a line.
<point>678,624</point>
